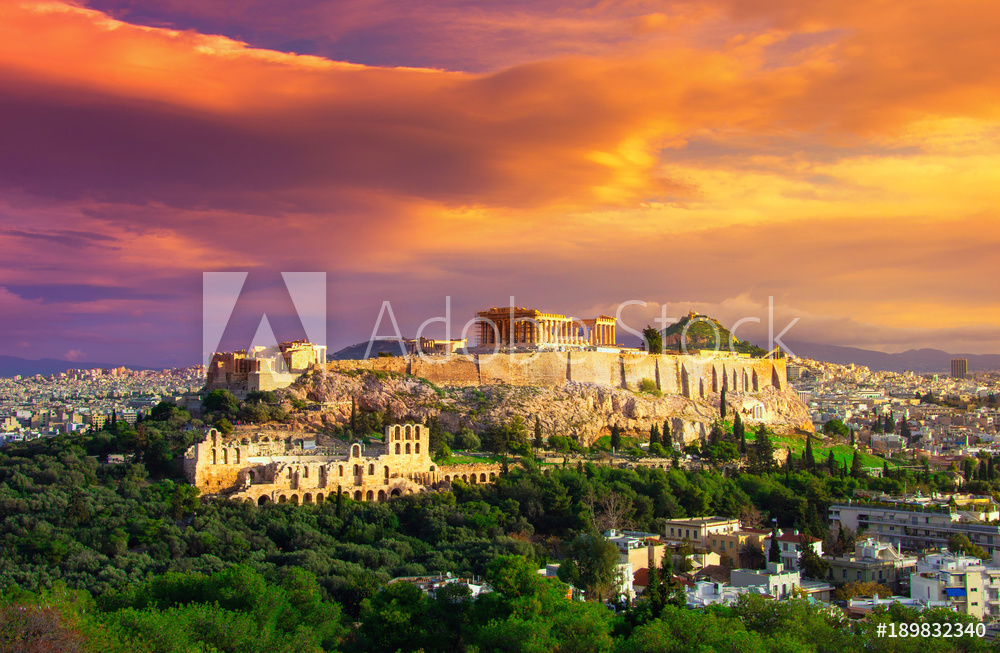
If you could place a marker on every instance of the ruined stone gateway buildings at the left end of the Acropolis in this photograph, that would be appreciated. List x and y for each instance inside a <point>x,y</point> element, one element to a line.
<point>263,368</point>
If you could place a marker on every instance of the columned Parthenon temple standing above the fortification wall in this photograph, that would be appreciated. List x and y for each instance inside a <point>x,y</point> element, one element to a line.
<point>529,328</point>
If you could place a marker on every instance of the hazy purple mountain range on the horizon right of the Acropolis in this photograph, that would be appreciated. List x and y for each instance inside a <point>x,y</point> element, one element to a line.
<point>914,360</point>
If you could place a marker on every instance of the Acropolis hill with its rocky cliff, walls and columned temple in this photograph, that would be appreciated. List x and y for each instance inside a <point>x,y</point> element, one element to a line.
<point>569,373</point>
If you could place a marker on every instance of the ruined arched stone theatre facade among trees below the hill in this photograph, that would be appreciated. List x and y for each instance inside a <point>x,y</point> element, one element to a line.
<point>281,469</point>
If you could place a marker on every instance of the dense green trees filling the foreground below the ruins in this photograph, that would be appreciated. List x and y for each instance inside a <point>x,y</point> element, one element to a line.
<point>113,560</point>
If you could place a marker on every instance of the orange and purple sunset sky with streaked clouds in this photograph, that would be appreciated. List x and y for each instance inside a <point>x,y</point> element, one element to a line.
<point>836,160</point>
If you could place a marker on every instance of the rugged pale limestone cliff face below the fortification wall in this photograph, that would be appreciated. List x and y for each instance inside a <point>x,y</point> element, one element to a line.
<point>582,410</point>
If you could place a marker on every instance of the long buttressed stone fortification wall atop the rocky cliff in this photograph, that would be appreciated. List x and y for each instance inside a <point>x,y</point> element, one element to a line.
<point>688,375</point>
